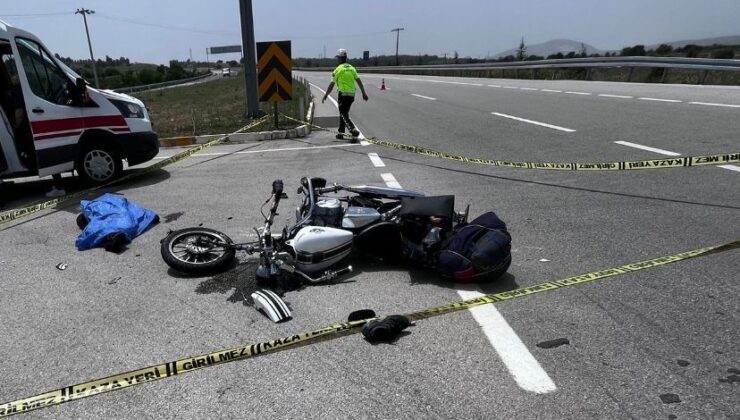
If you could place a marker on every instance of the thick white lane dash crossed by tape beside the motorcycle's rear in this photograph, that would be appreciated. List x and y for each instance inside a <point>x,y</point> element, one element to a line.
<point>522,365</point>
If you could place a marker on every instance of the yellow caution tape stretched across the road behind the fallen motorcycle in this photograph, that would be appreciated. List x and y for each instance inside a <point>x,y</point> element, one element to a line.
<point>677,162</point>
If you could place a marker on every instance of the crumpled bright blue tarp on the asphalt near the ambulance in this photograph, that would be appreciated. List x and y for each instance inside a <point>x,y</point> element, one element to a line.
<point>111,214</point>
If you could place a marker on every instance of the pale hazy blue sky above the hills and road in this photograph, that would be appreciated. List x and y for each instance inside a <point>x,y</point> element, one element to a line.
<point>156,31</point>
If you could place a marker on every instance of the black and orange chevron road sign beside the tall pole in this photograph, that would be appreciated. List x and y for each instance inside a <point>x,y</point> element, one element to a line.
<point>275,66</point>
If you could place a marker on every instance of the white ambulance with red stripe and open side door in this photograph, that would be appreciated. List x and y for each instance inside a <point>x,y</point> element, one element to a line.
<point>53,121</point>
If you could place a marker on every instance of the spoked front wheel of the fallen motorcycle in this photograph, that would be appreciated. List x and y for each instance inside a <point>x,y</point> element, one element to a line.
<point>197,250</point>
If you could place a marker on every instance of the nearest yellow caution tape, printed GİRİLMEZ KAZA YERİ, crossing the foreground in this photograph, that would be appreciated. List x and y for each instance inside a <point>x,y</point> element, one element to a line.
<point>179,367</point>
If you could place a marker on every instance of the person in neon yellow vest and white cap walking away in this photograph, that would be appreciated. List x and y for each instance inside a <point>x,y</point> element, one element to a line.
<point>345,76</point>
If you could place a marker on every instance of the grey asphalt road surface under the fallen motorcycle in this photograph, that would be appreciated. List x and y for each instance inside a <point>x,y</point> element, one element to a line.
<point>660,343</point>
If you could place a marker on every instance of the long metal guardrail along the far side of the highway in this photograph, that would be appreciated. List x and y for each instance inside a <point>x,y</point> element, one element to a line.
<point>700,64</point>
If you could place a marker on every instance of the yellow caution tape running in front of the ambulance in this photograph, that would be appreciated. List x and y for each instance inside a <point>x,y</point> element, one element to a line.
<point>11,215</point>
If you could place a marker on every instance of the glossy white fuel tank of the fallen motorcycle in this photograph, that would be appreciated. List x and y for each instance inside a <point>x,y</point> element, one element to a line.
<point>319,247</point>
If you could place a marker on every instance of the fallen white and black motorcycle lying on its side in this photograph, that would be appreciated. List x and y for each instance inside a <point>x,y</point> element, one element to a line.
<point>385,222</point>
